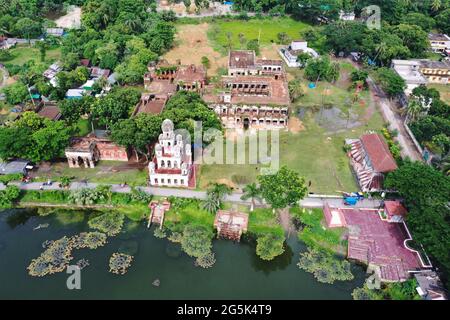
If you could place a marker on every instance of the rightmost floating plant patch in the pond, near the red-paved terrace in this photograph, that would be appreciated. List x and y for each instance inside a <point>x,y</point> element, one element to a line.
<point>325,266</point>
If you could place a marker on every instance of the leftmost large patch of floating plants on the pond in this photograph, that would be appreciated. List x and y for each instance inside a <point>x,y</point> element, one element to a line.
<point>54,259</point>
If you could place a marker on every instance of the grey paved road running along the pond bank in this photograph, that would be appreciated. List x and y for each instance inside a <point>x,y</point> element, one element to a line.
<point>308,202</point>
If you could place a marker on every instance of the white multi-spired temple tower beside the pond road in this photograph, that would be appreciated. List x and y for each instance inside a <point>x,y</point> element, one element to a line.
<point>172,165</point>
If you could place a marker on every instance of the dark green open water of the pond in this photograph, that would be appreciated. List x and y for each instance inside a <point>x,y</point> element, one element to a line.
<point>237,274</point>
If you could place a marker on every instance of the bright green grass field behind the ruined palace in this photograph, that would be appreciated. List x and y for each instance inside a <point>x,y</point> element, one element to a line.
<point>264,29</point>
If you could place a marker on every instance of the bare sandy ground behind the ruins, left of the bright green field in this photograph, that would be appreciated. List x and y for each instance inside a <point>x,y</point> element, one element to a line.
<point>192,45</point>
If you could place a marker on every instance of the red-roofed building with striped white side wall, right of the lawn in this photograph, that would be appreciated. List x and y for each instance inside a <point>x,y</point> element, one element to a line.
<point>370,159</point>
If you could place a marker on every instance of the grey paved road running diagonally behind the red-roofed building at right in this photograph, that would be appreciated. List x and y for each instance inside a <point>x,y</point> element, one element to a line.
<point>395,122</point>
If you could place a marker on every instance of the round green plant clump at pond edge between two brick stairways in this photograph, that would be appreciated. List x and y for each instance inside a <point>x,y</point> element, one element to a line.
<point>196,241</point>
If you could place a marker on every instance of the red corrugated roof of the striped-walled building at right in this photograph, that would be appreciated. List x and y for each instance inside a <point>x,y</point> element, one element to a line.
<point>378,152</point>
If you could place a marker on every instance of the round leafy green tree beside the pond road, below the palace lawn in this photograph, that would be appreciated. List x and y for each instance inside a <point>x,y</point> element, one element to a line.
<point>282,189</point>
